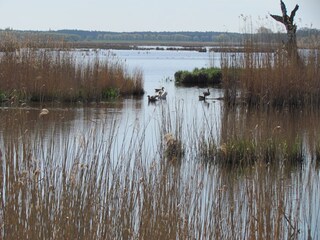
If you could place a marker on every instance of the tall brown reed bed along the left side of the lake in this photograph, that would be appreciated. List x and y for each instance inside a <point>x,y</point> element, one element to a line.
<point>47,74</point>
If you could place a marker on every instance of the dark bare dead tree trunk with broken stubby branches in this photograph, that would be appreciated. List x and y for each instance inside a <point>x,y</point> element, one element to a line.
<point>291,28</point>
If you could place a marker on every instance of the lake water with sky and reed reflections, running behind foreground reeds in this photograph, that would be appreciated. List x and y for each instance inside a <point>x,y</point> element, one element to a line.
<point>124,141</point>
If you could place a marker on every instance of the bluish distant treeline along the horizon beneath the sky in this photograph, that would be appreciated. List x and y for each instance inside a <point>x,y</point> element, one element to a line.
<point>263,35</point>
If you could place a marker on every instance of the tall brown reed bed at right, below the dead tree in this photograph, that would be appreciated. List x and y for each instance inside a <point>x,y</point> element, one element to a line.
<point>273,78</point>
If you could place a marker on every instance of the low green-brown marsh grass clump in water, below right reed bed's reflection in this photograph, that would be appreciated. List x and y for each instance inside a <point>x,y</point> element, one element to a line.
<point>242,152</point>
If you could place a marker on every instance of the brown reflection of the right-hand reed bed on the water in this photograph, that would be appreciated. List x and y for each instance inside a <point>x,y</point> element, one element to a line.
<point>265,124</point>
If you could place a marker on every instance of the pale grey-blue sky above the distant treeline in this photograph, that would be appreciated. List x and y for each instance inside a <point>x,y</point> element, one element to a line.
<point>153,15</point>
